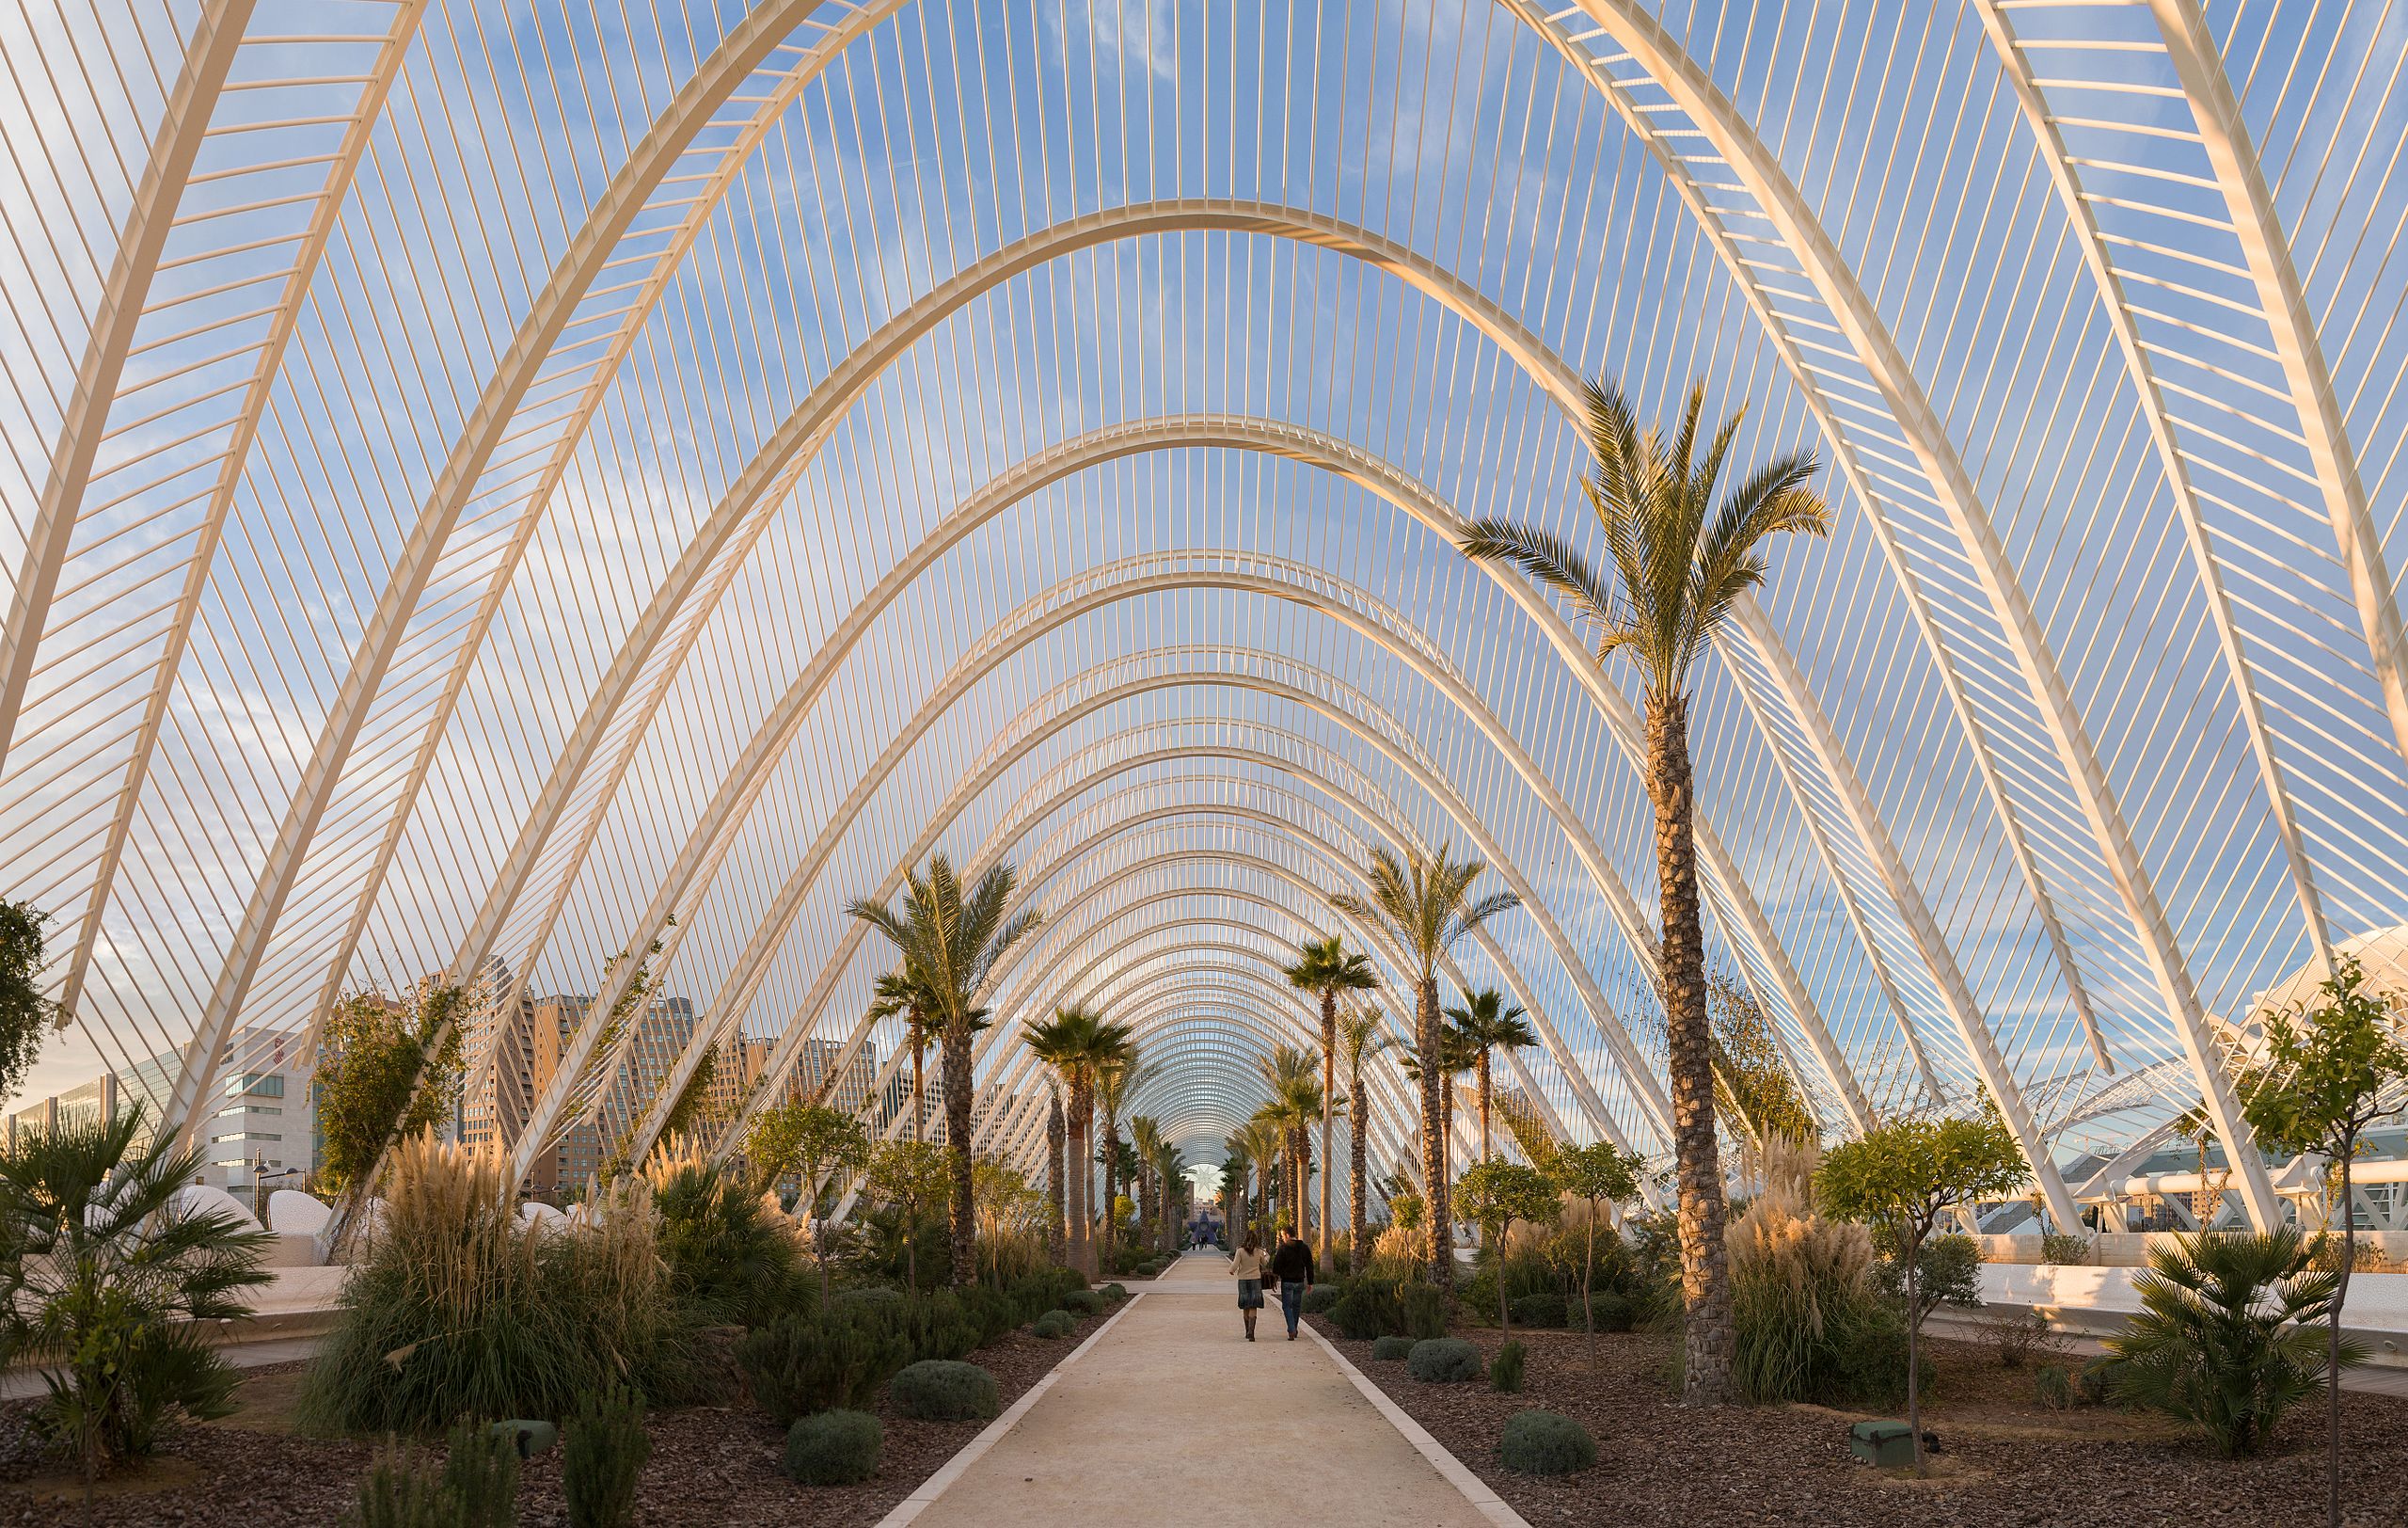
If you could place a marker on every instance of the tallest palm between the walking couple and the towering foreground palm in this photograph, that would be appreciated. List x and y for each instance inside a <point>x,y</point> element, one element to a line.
<point>1427,907</point>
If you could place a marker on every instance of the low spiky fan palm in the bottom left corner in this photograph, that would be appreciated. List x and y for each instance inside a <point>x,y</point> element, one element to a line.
<point>100,1274</point>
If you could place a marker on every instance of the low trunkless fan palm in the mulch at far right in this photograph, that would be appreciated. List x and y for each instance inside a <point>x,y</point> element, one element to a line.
<point>2221,1336</point>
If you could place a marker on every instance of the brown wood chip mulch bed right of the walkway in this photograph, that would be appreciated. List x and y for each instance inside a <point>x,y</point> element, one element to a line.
<point>2005,1459</point>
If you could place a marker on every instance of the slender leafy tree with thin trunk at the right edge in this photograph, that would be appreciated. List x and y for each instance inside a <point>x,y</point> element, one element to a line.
<point>2330,1076</point>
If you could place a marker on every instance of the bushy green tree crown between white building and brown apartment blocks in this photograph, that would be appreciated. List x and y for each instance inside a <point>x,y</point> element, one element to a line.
<point>379,1076</point>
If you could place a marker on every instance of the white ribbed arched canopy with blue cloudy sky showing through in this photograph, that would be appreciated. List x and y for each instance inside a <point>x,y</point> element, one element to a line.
<point>861,425</point>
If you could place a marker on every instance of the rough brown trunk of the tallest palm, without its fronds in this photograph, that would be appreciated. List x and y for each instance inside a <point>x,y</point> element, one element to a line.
<point>1706,1276</point>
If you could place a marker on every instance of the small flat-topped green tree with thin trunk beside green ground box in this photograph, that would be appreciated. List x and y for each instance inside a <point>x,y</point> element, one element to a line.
<point>1899,1180</point>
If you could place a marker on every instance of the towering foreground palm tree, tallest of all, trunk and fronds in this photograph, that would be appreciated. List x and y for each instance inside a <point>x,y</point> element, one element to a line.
<point>1684,551</point>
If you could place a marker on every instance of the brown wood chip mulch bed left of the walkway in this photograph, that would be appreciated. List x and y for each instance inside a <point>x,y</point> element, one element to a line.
<point>709,1464</point>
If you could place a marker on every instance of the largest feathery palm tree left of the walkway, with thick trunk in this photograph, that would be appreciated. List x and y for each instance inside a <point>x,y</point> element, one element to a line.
<point>950,941</point>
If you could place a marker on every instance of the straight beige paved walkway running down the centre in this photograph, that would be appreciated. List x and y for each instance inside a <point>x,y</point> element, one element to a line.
<point>1171,1411</point>
